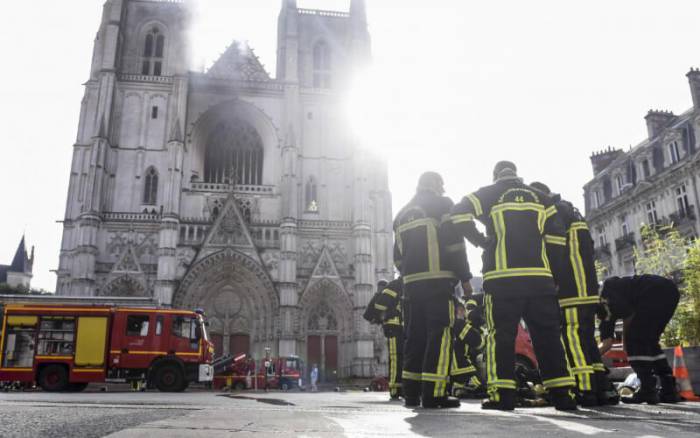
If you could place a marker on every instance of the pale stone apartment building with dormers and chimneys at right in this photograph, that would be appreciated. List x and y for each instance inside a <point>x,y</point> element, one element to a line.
<point>654,183</point>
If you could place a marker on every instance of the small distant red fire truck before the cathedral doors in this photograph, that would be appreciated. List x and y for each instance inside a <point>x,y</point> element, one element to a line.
<point>280,373</point>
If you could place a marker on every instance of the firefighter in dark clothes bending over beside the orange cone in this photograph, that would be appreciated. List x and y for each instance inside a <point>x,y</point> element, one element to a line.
<point>646,303</point>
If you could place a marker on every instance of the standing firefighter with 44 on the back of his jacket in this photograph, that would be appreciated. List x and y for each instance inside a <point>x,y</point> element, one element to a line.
<point>523,245</point>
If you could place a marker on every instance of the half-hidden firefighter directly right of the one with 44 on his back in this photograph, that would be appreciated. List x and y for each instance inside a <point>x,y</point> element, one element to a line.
<point>579,299</point>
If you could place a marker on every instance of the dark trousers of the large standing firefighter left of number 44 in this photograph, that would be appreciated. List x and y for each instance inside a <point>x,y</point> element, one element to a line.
<point>428,347</point>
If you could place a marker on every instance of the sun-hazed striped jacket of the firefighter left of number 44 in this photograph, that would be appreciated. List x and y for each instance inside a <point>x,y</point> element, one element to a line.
<point>426,246</point>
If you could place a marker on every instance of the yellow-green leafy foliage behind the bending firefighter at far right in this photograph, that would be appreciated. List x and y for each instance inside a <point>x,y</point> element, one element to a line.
<point>664,252</point>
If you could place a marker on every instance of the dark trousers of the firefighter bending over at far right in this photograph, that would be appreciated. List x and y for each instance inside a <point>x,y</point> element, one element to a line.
<point>643,335</point>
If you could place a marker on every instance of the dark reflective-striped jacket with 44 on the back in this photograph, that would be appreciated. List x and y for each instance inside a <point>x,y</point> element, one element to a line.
<point>524,240</point>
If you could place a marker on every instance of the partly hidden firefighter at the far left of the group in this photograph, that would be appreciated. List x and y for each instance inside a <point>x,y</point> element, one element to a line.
<point>389,304</point>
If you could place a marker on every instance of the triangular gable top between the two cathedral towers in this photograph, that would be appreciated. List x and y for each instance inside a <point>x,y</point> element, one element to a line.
<point>239,62</point>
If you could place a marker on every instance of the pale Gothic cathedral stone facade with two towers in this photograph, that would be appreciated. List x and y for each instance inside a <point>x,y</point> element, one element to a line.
<point>230,190</point>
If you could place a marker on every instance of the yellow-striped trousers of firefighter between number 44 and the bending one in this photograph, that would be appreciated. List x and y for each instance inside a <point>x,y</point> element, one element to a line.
<point>578,333</point>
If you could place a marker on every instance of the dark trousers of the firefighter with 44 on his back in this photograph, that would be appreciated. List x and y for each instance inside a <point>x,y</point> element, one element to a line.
<point>541,314</point>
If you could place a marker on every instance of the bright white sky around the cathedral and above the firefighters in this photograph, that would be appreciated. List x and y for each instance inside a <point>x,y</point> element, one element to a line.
<point>457,85</point>
